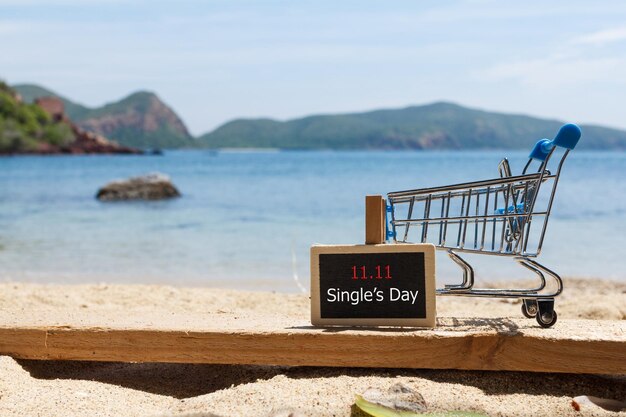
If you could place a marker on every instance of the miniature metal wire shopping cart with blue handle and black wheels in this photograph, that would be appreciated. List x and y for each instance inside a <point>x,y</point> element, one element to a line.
<point>504,216</point>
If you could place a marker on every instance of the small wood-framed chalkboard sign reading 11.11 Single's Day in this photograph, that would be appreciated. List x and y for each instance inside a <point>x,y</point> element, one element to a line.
<point>373,285</point>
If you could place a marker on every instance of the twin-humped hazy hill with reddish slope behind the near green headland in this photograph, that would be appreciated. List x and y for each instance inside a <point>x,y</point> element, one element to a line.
<point>140,120</point>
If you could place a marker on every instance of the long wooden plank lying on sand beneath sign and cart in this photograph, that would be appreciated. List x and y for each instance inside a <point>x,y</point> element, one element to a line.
<point>573,346</point>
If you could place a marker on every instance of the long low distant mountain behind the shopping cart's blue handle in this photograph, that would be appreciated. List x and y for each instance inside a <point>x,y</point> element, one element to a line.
<point>433,126</point>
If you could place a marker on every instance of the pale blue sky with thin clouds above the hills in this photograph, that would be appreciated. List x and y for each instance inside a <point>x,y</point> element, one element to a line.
<point>214,61</point>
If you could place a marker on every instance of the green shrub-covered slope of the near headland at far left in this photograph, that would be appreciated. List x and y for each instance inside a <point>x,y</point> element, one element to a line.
<point>27,127</point>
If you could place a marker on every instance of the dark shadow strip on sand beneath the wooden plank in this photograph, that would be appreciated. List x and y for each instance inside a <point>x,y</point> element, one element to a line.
<point>191,380</point>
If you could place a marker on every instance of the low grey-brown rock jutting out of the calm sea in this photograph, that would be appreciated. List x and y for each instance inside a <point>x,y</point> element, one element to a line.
<point>146,187</point>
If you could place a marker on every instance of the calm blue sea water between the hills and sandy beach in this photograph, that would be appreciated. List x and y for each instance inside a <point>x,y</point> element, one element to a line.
<point>247,219</point>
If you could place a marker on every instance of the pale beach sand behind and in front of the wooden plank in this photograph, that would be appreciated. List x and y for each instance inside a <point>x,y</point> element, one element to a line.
<point>58,388</point>
